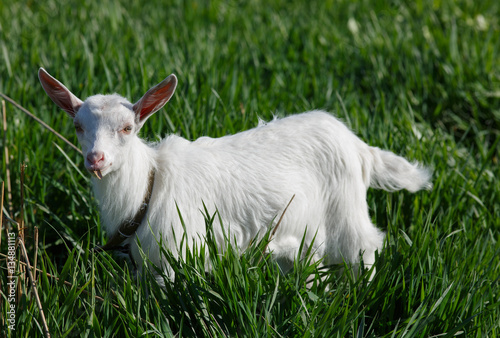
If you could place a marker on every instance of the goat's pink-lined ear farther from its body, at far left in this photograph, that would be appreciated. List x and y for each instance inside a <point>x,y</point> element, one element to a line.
<point>58,93</point>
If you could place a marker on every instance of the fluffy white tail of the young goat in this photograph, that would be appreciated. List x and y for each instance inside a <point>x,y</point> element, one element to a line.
<point>390,172</point>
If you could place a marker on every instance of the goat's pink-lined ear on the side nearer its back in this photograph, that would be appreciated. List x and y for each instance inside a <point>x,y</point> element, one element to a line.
<point>155,98</point>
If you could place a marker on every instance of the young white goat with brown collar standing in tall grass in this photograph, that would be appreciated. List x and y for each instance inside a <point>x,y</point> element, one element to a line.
<point>249,178</point>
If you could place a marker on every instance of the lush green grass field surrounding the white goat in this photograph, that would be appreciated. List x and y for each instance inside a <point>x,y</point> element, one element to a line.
<point>421,78</point>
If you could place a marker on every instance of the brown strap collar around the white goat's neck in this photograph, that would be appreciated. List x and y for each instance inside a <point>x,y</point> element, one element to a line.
<point>129,226</point>
